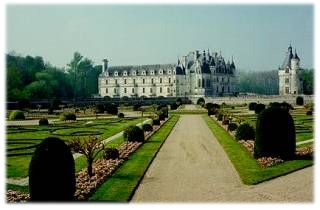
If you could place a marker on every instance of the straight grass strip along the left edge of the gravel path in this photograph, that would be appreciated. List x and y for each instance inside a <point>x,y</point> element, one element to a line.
<point>122,184</point>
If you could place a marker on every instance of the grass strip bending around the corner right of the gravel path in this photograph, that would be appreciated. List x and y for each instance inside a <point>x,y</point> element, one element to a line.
<point>247,167</point>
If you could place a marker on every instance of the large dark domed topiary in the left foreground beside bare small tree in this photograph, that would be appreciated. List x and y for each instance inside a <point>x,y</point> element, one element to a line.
<point>52,172</point>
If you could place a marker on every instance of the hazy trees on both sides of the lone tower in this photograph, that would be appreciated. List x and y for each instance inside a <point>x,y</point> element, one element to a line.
<point>267,82</point>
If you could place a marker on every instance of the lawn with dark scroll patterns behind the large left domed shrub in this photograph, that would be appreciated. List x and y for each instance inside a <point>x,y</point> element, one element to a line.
<point>22,140</point>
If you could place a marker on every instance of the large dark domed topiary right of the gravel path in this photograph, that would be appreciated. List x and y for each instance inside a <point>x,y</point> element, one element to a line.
<point>275,134</point>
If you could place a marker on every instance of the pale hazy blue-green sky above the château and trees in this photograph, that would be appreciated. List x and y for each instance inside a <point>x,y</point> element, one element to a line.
<point>257,36</point>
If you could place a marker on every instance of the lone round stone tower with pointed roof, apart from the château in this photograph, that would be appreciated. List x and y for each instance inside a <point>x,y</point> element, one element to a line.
<point>289,75</point>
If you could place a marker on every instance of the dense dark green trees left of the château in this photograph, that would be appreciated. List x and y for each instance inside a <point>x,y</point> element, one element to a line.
<point>31,78</point>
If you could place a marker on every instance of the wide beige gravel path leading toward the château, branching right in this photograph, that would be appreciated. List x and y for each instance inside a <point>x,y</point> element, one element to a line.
<point>192,166</point>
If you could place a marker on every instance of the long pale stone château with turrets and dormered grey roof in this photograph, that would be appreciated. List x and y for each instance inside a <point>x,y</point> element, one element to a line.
<point>196,75</point>
